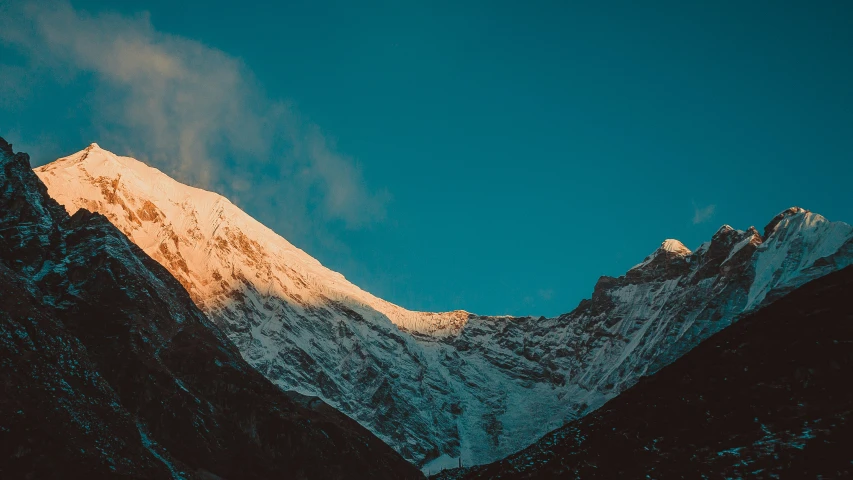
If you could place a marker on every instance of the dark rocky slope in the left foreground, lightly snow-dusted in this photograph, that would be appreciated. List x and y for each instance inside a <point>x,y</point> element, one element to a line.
<point>109,368</point>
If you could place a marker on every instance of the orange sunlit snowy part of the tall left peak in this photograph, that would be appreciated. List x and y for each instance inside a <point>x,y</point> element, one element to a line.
<point>209,235</point>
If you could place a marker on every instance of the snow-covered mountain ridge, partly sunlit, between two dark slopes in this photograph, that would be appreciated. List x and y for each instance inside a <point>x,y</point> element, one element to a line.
<point>442,386</point>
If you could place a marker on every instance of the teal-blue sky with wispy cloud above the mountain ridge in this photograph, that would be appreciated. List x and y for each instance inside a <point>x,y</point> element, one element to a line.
<point>494,157</point>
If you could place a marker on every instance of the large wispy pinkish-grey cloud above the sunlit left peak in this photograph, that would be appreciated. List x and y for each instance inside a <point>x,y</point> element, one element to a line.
<point>194,112</point>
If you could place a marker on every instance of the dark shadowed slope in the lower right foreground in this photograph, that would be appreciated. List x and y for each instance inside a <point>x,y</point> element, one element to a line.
<point>768,397</point>
